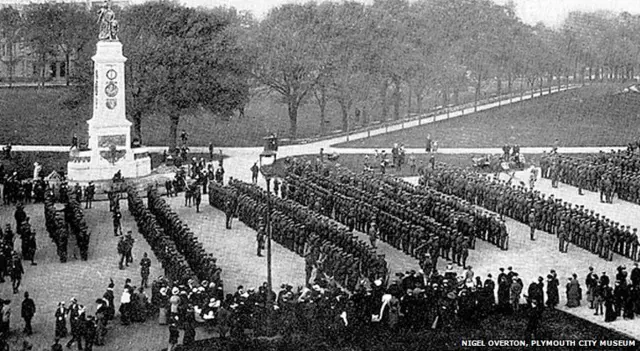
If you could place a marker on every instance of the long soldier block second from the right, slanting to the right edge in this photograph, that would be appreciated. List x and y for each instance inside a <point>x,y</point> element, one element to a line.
<point>575,224</point>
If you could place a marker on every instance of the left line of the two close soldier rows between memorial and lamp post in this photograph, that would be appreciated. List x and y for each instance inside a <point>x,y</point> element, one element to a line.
<point>174,263</point>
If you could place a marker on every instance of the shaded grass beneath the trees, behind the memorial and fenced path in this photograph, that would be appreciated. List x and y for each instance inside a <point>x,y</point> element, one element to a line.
<point>33,116</point>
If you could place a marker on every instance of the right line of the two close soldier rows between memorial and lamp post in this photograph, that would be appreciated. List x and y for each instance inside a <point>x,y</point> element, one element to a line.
<point>202,263</point>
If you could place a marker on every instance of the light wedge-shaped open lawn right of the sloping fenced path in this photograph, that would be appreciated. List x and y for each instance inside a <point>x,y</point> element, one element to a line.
<point>589,116</point>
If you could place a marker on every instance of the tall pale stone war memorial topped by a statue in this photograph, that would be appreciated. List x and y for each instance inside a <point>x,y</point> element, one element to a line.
<point>109,148</point>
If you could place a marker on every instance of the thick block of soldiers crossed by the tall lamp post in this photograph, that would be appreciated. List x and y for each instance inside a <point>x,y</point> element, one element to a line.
<point>328,247</point>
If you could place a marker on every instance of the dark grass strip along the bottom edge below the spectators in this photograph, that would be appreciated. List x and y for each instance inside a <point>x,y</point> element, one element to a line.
<point>555,325</point>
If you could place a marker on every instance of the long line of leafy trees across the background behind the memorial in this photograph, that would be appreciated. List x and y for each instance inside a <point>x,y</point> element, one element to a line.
<point>390,52</point>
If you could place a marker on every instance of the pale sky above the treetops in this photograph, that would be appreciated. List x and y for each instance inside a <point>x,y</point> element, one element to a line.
<point>550,12</point>
